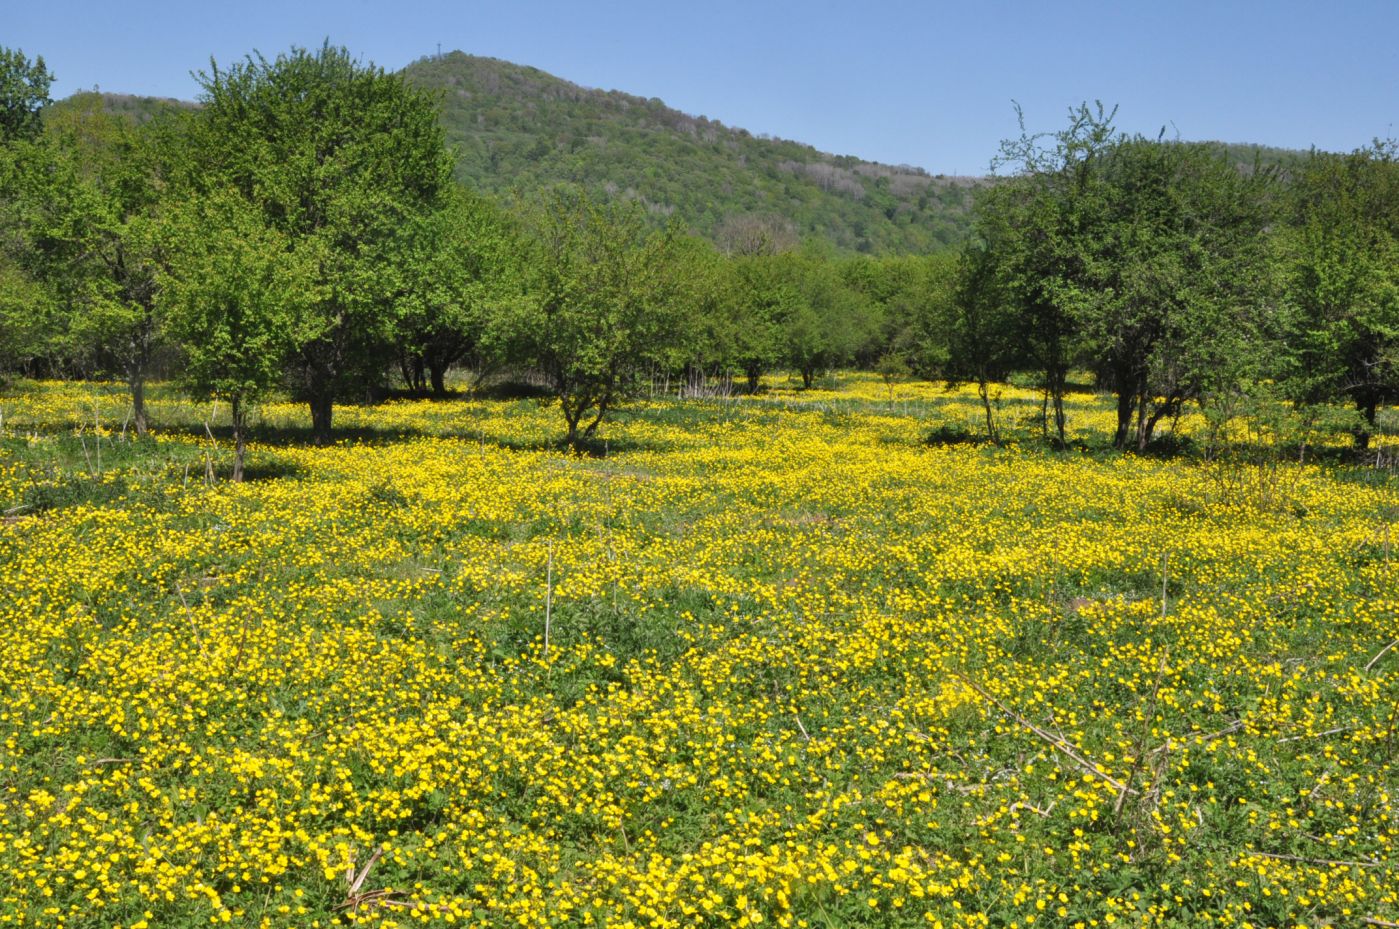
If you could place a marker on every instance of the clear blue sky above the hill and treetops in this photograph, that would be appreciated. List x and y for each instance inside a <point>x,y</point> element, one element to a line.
<point>920,83</point>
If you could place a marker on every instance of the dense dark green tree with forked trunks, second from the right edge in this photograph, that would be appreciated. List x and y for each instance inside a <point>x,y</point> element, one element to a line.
<point>1176,292</point>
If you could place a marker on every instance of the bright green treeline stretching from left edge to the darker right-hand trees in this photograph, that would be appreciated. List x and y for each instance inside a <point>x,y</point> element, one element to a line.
<point>300,230</point>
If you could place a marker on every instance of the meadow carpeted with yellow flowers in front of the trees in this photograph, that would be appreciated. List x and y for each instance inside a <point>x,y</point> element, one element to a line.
<point>769,661</point>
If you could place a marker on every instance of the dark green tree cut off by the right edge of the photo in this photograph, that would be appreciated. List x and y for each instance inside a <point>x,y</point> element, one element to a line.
<point>1344,269</point>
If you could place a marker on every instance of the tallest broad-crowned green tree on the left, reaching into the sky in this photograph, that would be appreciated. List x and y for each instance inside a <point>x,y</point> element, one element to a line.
<point>341,159</point>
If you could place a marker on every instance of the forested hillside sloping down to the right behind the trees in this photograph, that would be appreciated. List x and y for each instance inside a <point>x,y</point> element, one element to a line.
<point>520,129</point>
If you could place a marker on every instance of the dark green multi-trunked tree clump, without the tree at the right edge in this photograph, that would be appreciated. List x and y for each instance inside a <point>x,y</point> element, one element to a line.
<point>1148,262</point>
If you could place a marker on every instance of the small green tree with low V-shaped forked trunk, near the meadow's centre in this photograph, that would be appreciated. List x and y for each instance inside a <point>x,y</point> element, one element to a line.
<point>599,313</point>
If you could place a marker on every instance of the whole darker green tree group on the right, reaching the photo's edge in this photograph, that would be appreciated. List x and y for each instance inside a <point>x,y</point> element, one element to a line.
<point>1176,278</point>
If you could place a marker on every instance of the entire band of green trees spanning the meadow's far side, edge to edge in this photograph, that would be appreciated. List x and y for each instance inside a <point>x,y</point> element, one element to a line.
<point>301,232</point>
